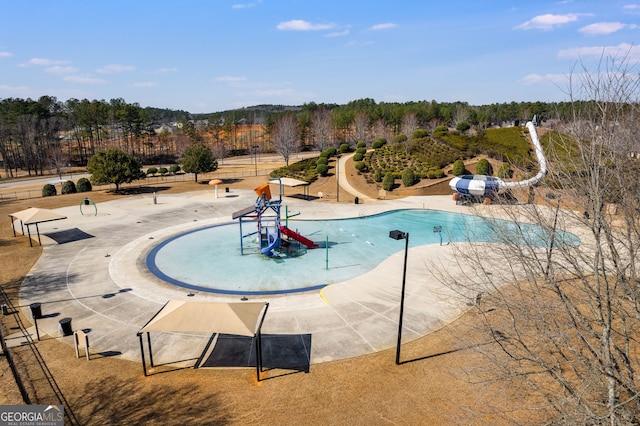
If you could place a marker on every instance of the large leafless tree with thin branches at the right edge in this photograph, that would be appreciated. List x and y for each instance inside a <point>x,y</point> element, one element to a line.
<point>563,313</point>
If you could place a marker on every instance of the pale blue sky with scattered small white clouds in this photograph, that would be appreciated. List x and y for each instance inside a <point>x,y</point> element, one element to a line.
<point>214,55</point>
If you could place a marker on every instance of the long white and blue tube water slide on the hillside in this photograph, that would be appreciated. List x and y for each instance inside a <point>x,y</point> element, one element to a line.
<point>480,185</point>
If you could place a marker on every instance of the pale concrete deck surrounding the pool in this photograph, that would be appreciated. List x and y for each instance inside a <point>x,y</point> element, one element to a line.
<point>92,270</point>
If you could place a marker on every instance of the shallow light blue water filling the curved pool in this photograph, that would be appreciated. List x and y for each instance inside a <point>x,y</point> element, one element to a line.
<point>209,259</point>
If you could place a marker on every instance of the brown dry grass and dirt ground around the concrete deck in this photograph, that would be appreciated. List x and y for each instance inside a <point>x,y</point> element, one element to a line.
<point>428,388</point>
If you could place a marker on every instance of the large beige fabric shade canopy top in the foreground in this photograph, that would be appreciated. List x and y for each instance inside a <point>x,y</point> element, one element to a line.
<point>207,317</point>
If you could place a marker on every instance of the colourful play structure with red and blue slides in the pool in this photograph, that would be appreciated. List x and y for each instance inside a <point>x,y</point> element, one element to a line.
<point>271,235</point>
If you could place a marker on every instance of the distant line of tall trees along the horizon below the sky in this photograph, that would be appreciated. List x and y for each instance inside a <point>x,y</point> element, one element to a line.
<point>47,134</point>
